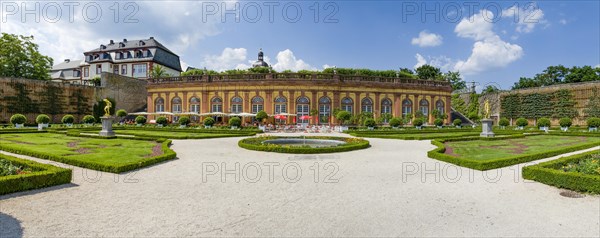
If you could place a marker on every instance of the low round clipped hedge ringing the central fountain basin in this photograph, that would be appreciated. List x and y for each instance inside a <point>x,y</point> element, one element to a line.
<point>255,143</point>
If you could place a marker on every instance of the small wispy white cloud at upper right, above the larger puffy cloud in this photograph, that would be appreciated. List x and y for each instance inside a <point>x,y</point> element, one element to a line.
<point>526,17</point>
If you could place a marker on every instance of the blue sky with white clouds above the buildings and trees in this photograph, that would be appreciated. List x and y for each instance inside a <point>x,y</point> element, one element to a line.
<point>491,42</point>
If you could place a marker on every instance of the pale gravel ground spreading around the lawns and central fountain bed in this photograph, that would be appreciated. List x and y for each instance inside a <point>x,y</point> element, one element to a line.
<point>390,189</point>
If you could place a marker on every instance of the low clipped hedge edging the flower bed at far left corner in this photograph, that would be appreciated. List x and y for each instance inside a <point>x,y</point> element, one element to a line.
<point>43,175</point>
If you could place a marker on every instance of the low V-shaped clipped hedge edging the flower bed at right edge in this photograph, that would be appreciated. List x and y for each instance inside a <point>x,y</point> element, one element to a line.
<point>549,173</point>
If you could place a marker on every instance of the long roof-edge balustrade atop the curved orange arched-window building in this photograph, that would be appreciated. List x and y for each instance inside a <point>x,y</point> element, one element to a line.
<point>297,76</point>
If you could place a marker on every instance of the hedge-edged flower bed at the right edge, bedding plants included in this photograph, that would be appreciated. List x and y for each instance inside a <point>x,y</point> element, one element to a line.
<point>578,172</point>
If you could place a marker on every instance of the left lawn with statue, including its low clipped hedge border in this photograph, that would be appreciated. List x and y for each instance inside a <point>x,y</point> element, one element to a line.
<point>113,155</point>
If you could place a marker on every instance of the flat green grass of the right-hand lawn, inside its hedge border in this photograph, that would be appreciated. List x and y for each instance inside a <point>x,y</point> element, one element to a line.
<point>494,149</point>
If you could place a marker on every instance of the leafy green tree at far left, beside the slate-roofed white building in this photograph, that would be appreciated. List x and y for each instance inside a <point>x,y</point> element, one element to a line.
<point>19,58</point>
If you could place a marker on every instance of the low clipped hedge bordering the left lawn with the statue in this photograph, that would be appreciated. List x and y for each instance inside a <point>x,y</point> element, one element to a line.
<point>168,154</point>
